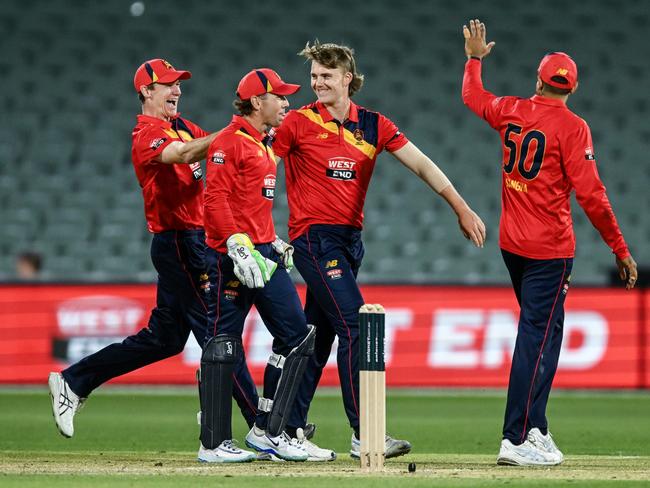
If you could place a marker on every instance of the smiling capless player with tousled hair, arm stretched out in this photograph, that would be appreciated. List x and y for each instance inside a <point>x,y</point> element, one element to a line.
<point>329,149</point>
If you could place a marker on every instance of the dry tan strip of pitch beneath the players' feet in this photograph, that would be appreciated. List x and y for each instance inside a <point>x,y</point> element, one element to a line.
<point>427,466</point>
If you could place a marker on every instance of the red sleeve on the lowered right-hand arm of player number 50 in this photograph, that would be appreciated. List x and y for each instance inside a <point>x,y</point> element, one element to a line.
<point>580,166</point>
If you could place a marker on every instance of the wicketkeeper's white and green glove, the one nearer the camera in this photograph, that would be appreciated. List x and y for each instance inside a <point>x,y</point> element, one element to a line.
<point>251,268</point>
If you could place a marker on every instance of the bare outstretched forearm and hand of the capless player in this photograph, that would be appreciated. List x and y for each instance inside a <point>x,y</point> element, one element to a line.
<point>419,163</point>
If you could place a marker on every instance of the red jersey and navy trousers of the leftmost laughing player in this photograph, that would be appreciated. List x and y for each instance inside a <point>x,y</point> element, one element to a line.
<point>173,201</point>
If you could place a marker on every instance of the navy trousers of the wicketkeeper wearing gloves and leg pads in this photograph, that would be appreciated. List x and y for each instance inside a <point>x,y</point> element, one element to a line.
<point>278,304</point>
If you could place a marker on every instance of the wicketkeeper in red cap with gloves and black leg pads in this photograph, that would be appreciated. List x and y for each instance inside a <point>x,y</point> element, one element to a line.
<point>243,254</point>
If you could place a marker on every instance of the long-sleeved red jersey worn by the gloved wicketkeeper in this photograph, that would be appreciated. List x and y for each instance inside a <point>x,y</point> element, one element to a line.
<point>240,187</point>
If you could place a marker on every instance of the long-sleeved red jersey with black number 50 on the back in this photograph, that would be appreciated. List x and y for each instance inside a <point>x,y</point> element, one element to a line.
<point>547,153</point>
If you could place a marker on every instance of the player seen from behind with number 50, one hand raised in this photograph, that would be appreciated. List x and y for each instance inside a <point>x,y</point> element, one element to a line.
<point>547,154</point>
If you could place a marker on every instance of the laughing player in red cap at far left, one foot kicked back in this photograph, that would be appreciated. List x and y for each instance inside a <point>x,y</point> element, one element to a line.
<point>166,153</point>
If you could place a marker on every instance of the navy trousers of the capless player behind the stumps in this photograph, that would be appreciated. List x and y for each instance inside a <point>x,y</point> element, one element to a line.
<point>329,257</point>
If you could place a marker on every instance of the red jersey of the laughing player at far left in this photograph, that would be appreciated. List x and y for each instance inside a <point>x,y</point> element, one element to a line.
<point>173,193</point>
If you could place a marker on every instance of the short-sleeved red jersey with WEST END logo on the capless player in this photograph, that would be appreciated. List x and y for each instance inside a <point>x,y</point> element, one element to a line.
<point>328,165</point>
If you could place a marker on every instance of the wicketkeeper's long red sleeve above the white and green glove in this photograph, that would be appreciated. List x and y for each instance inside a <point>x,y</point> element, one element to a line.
<point>222,169</point>
